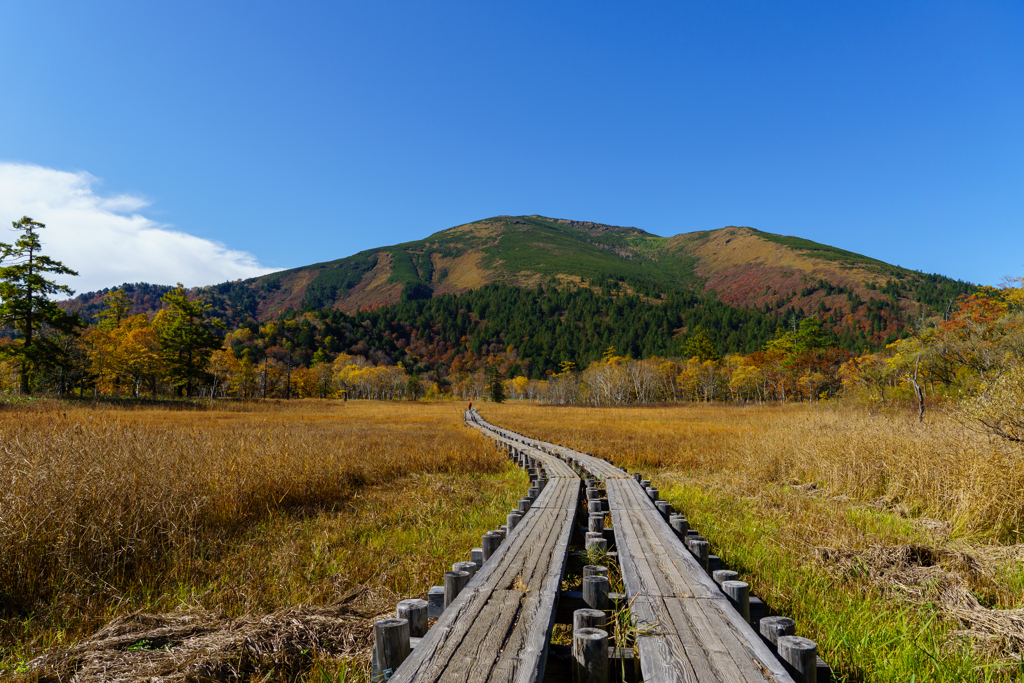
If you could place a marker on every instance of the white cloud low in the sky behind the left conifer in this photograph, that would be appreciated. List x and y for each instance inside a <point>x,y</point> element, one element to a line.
<point>106,239</point>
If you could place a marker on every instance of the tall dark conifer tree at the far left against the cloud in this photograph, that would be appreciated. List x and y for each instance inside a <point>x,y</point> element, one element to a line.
<point>25,303</point>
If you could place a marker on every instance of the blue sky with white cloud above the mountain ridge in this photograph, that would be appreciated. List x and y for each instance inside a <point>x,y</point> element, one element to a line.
<point>202,142</point>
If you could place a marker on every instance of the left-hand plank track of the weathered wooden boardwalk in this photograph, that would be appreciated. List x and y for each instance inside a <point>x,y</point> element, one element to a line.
<point>499,627</point>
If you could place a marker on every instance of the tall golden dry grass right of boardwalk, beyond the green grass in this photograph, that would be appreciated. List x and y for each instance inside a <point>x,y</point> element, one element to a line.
<point>937,469</point>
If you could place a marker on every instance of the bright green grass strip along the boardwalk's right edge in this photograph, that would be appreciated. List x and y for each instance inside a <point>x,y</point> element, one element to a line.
<point>863,634</point>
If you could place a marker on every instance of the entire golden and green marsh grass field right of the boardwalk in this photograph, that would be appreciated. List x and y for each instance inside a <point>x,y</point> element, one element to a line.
<point>785,493</point>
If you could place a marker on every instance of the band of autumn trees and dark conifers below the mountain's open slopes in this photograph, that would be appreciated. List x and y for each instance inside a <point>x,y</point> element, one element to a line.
<point>552,344</point>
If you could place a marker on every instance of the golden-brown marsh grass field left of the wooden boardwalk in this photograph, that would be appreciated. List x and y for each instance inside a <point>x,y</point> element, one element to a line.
<point>241,510</point>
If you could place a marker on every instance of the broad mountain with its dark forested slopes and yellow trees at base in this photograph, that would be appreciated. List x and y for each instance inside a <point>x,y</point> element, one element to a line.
<point>522,297</point>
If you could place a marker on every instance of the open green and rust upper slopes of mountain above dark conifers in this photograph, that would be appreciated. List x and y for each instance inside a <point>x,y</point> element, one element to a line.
<point>744,268</point>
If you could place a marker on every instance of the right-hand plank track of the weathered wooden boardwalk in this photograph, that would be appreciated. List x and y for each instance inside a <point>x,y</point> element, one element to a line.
<point>691,631</point>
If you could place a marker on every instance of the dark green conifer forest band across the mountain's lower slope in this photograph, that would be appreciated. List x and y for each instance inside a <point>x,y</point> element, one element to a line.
<point>535,329</point>
